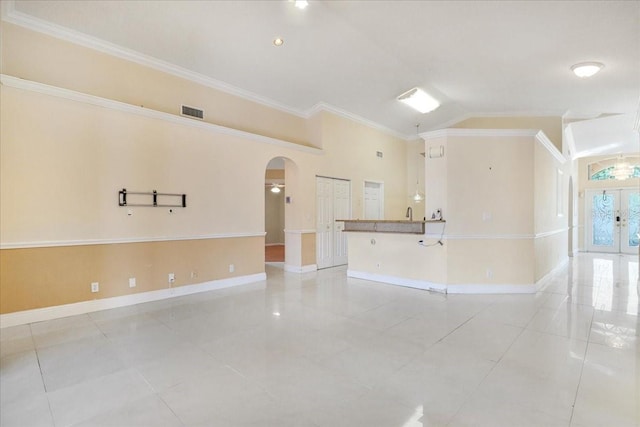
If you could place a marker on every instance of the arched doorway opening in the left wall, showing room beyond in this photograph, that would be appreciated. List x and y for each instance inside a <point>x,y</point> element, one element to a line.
<point>274,215</point>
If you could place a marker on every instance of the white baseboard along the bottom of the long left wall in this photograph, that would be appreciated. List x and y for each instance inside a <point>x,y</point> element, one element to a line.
<point>55,312</point>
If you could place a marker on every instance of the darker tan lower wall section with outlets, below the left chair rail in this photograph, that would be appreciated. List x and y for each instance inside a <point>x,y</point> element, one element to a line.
<point>43,277</point>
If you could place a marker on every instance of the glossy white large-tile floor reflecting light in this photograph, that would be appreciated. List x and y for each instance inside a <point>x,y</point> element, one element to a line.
<point>320,349</point>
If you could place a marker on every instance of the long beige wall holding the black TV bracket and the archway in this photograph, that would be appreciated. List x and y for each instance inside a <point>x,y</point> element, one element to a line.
<point>63,160</point>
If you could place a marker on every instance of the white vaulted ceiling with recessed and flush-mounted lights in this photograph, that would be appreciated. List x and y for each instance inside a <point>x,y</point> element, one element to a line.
<point>356,57</point>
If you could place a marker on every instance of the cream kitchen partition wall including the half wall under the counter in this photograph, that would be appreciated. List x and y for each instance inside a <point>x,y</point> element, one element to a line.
<point>497,192</point>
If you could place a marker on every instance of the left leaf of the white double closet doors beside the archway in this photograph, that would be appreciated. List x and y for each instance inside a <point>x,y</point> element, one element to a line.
<point>324,222</point>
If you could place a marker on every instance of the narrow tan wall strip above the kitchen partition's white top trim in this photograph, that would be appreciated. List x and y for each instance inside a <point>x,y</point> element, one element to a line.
<point>551,126</point>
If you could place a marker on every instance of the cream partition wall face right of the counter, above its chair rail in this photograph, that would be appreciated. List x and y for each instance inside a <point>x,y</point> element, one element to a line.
<point>492,175</point>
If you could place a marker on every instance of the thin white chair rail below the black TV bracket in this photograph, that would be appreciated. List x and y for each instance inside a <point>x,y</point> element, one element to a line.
<point>87,242</point>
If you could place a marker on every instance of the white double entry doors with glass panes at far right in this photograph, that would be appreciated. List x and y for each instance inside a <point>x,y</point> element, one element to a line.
<point>613,217</point>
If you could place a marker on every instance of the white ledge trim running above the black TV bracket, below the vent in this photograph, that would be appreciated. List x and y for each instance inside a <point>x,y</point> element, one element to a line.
<point>44,89</point>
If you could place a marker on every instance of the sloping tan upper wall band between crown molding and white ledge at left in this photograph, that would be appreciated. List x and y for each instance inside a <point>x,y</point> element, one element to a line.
<point>33,56</point>
